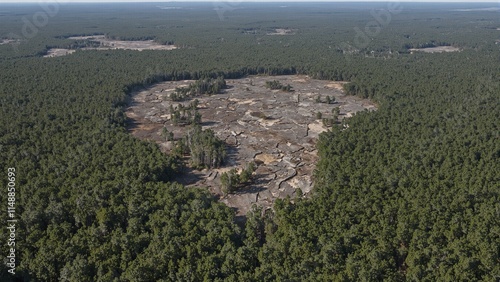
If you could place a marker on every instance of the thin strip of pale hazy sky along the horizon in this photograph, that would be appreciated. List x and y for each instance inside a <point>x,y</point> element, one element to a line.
<point>497,2</point>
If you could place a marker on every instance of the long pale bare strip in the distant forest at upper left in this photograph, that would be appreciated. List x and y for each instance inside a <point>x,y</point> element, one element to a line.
<point>108,44</point>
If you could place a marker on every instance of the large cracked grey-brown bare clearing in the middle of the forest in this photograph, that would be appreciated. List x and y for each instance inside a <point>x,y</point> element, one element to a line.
<point>275,129</point>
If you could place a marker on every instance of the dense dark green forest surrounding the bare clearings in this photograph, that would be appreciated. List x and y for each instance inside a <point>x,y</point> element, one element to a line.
<point>409,192</point>
